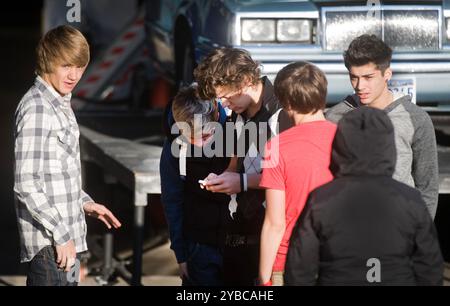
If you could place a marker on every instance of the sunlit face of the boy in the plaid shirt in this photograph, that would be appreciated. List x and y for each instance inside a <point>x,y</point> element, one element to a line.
<point>64,78</point>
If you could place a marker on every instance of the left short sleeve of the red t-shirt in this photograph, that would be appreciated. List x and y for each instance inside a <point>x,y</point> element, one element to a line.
<point>273,167</point>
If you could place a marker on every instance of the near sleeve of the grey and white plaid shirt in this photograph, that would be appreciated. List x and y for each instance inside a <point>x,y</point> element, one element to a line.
<point>33,126</point>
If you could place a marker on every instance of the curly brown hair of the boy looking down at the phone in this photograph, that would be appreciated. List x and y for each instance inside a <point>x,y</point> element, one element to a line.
<point>228,67</point>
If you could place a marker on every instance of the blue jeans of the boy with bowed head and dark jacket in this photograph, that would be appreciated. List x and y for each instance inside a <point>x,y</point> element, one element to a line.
<point>204,264</point>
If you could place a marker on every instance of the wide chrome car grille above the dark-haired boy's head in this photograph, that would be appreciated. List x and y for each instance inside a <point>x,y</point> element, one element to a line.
<point>402,29</point>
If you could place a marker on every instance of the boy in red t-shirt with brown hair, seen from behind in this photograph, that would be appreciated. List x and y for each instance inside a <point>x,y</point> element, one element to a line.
<point>296,162</point>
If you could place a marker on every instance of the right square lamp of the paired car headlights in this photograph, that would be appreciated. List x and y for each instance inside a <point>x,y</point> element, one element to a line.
<point>294,30</point>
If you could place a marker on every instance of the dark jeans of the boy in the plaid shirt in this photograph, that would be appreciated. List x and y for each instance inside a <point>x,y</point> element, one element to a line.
<point>43,270</point>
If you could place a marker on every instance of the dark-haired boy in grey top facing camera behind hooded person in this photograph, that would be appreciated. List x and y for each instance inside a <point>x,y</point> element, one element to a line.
<point>367,60</point>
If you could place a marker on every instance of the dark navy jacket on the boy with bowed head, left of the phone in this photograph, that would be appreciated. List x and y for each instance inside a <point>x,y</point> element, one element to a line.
<point>191,213</point>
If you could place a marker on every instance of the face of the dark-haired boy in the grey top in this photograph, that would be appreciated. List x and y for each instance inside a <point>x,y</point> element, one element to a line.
<point>369,82</point>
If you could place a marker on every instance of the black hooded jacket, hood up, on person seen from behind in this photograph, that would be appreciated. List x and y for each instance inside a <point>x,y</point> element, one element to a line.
<point>364,224</point>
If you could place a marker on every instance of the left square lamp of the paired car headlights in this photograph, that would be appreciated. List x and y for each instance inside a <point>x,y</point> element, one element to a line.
<point>254,30</point>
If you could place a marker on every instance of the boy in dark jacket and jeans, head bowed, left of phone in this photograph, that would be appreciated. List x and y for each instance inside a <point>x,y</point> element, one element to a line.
<point>196,217</point>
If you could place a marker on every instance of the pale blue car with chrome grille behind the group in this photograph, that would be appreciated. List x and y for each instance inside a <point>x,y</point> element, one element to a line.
<point>277,32</point>
